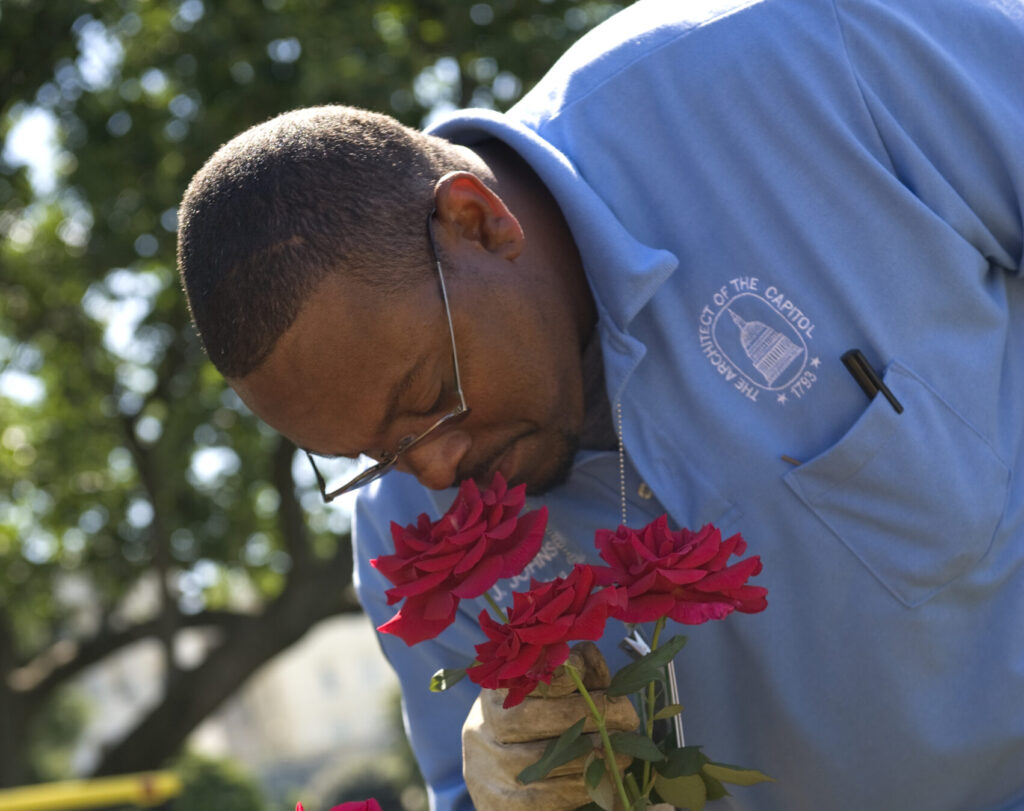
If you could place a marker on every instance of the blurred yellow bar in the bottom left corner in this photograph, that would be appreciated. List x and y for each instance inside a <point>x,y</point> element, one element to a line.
<point>147,789</point>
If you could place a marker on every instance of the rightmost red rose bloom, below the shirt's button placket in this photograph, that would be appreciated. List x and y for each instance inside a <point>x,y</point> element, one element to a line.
<point>679,575</point>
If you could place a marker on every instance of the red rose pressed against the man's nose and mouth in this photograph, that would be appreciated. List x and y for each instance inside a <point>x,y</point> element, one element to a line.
<point>436,565</point>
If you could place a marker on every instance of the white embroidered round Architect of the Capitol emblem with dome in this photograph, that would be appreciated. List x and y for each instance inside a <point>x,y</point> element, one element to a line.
<point>758,340</point>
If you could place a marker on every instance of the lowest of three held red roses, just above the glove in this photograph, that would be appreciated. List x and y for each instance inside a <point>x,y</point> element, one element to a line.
<point>525,652</point>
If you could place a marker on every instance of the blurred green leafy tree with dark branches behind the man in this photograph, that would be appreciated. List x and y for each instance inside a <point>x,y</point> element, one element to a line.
<point>126,466</point>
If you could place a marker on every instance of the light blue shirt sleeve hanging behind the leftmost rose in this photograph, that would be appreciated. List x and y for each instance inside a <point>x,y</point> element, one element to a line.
<point>434,721</point>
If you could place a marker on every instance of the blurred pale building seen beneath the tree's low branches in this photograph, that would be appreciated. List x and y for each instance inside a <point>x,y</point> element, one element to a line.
<point>311,721</point>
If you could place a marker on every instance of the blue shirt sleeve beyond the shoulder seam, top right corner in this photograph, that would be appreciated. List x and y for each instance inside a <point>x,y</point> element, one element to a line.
<point>943,81</point>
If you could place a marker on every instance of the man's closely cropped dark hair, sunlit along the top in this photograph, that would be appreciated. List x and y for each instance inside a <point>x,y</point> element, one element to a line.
<point>278,208</point>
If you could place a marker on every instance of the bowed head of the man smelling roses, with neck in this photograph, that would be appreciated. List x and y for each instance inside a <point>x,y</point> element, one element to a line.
<point>306,257</point>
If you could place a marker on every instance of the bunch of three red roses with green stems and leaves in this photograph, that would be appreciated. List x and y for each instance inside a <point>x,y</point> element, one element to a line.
<point>650,576</point>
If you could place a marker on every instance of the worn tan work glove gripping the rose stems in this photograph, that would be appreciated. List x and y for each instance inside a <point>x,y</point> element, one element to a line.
<point>498,744</point>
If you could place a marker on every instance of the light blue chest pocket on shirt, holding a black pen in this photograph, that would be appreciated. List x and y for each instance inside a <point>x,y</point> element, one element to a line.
<point>916,497</point>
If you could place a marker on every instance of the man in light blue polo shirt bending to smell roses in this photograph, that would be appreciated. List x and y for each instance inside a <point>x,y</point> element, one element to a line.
<point>650,273</point>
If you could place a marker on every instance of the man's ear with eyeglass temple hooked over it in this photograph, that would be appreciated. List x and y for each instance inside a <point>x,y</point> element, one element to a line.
<point>471,210</point>
